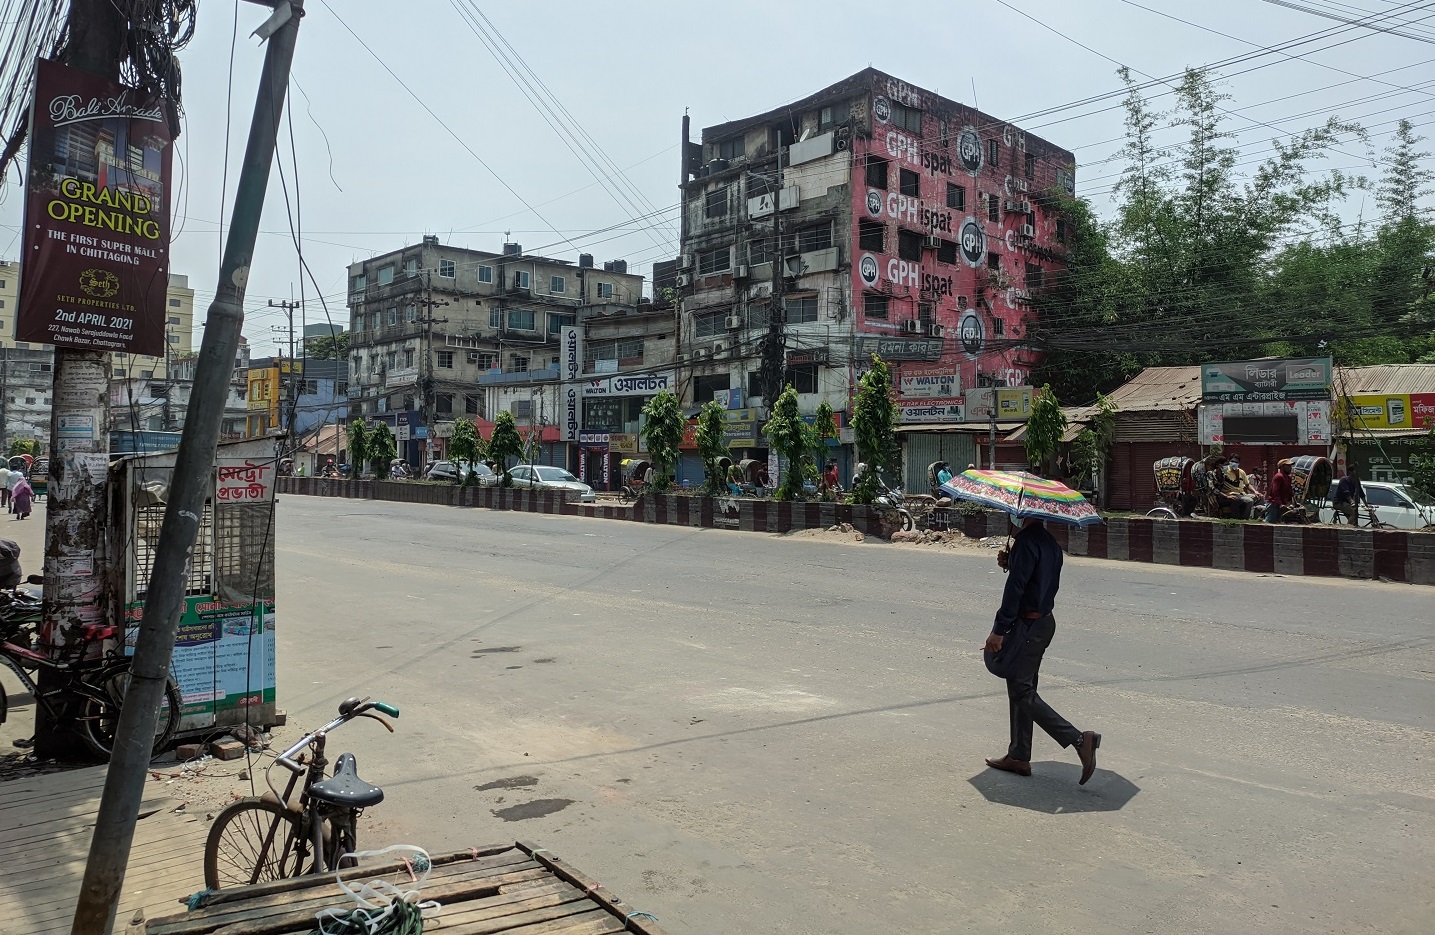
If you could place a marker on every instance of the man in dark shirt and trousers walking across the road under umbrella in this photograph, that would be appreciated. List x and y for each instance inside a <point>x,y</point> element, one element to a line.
<point>1034,576</point>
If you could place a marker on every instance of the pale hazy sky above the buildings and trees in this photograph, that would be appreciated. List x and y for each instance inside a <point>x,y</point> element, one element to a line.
<point>486,161</point>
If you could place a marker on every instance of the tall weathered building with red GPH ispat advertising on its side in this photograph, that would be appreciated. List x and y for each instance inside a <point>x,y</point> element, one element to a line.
<point>870,217</point>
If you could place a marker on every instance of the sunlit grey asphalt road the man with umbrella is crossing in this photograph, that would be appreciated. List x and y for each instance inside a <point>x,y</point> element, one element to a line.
<point>773,735</point>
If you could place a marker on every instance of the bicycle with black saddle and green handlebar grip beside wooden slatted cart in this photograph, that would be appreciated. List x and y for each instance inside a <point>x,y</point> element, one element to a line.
<point>275,837</point>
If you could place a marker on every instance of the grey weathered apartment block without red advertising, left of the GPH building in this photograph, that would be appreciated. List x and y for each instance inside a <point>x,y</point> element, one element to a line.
<point>441,332</point>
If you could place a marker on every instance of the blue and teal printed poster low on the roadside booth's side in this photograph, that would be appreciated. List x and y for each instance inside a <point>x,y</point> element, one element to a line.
<point>223,658</point>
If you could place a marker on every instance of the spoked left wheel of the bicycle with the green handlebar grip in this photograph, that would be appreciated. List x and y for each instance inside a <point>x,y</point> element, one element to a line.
<point>253,841</point>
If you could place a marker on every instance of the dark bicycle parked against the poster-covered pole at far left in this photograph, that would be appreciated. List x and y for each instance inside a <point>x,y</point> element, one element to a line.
<point>88,693</point>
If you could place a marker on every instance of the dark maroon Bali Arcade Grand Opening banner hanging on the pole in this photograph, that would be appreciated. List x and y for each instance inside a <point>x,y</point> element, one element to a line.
<point>95,266</point>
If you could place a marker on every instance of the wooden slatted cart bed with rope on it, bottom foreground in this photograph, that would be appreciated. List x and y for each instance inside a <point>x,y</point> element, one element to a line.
<point>516,890</point>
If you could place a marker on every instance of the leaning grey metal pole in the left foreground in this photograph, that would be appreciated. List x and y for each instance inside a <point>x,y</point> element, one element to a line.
<point>194,465</point>
